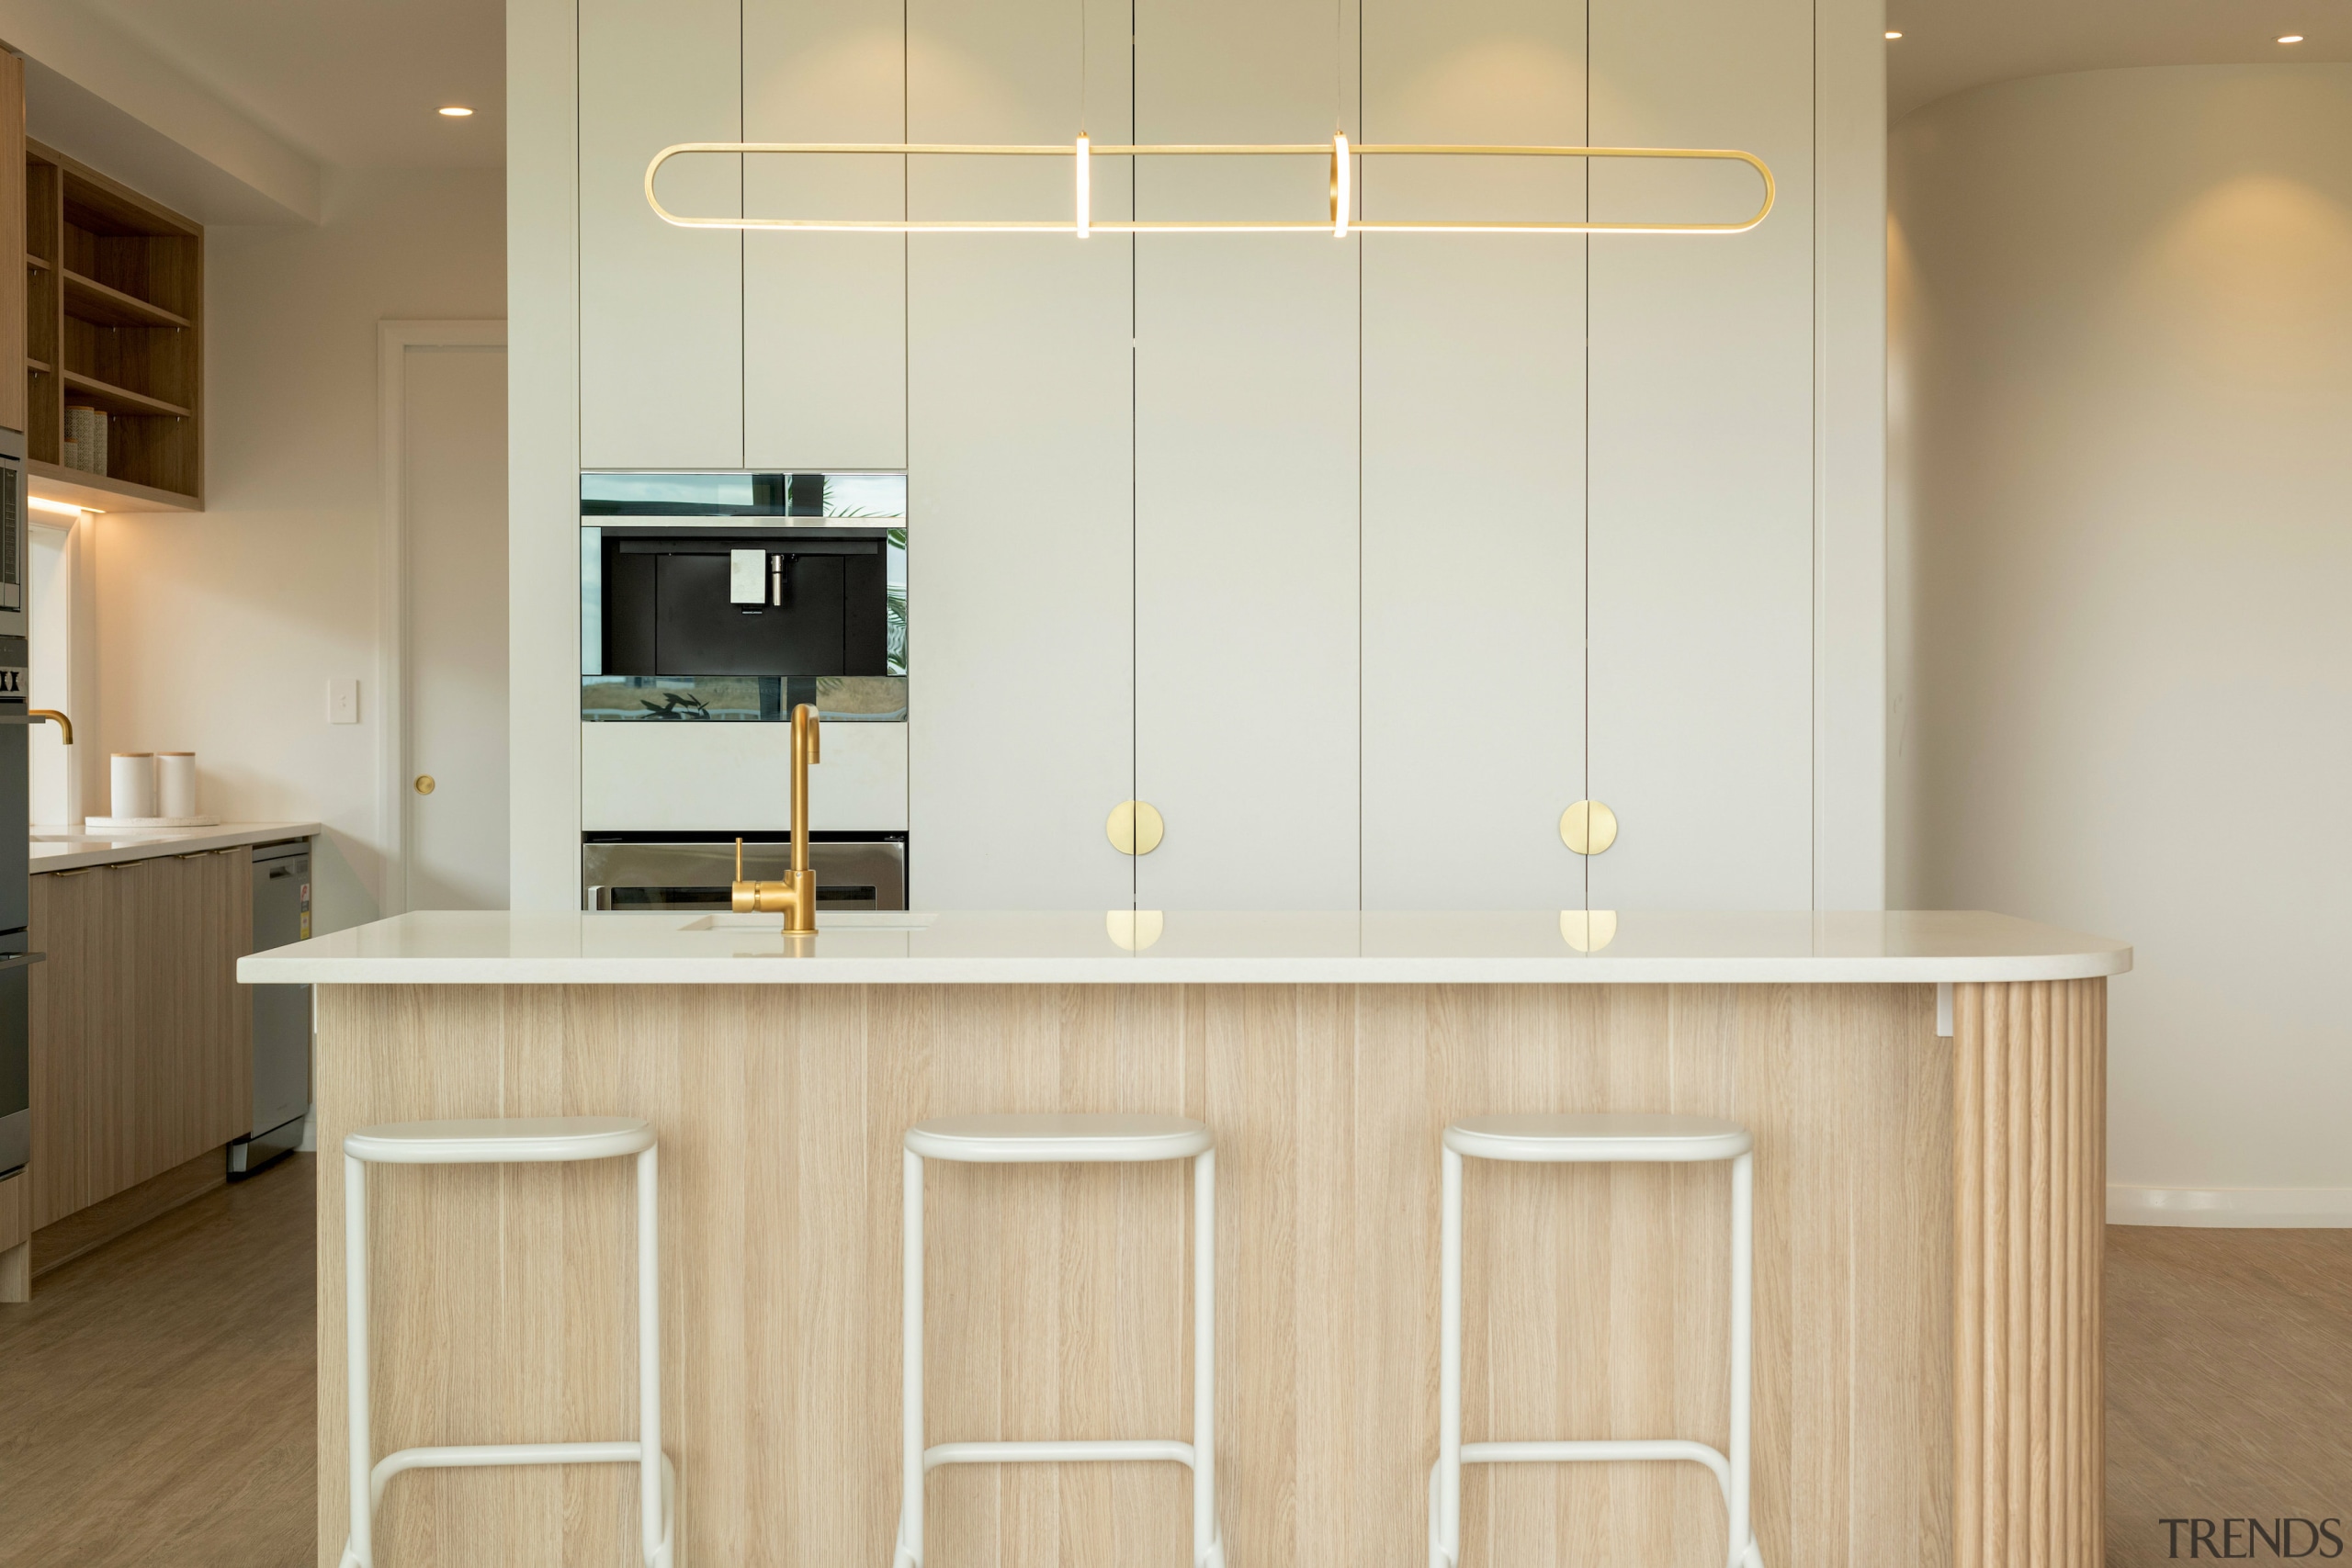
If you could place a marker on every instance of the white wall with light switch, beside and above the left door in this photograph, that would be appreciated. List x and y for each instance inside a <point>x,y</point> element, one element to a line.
<point>218,634</point>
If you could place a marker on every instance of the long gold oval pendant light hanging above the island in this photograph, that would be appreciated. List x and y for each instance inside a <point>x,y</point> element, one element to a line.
<point>1083,222</point>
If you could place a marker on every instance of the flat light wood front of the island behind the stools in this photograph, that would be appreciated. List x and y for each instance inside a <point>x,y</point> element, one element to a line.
<point>1057,1299</point>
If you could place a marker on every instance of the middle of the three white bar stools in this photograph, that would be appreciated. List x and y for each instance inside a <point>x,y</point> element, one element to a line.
<point>1001,1141</point>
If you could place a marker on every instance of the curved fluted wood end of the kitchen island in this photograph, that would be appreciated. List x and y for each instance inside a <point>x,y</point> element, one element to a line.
<point>2031,1158</point>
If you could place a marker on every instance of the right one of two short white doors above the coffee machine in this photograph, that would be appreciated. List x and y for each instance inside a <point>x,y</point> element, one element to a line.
<point>824,314</point>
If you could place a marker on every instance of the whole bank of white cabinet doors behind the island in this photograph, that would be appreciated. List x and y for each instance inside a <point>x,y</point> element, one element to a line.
<point>1361,561</point>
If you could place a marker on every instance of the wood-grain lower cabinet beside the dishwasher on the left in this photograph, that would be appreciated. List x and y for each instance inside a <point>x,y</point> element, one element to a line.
<point>142,1036</point>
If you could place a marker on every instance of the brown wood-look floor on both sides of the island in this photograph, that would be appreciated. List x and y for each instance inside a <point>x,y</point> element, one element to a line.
<point>159,1395</point>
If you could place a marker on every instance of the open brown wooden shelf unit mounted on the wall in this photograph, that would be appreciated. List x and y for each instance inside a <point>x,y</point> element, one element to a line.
<point>114,321</point>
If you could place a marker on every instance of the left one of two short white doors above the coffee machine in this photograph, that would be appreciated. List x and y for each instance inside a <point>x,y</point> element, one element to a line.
<point>662,307</point>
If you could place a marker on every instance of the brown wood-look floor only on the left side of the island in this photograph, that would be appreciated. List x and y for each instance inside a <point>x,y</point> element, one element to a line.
<point>159,1398</point>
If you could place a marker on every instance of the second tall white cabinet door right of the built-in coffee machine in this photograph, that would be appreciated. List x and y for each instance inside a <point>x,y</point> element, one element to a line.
<point>1248,565</point>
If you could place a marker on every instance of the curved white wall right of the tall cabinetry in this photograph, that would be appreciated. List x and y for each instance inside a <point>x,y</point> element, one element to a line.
<point>2123,678</point>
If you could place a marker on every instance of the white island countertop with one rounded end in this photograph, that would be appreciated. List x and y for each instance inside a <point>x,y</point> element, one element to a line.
<point>1187,949</point>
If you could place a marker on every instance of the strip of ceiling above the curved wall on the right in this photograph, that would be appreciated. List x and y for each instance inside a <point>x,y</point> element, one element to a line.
<point>1951,46</point>
